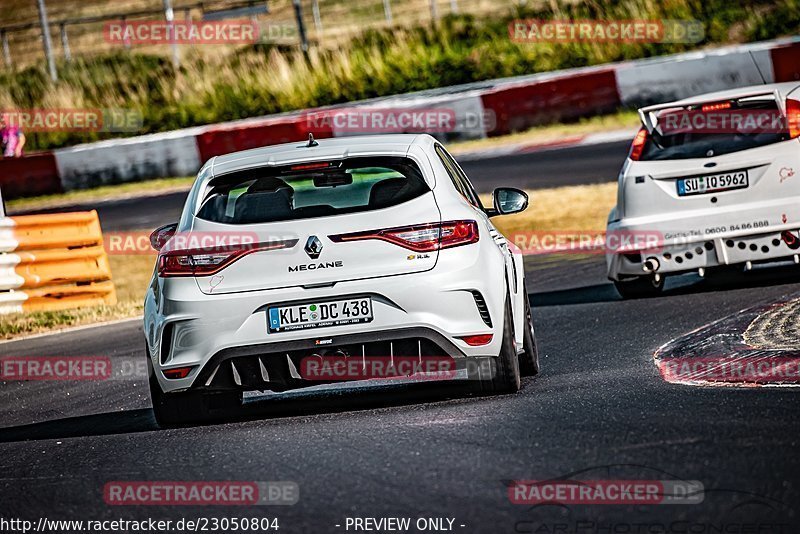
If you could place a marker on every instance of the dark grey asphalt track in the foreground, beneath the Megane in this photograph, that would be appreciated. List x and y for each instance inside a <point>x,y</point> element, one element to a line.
<point>598,411</point>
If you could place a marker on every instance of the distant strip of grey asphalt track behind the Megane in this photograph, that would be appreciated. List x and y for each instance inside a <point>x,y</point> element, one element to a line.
<point>534,170</point>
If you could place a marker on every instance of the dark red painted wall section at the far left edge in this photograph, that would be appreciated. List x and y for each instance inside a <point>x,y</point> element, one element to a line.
<point>36,174</point>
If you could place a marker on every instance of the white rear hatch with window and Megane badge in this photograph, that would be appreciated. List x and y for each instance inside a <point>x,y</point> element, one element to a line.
<point>320,223</point>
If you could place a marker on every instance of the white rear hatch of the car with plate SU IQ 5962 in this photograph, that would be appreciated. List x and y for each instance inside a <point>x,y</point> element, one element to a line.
<point>713,154</point>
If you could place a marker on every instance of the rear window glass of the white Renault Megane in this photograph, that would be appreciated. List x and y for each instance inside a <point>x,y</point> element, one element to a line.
<point>316,189</point>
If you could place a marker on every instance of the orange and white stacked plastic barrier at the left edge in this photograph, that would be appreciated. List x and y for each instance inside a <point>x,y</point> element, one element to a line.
<point>53,262</point>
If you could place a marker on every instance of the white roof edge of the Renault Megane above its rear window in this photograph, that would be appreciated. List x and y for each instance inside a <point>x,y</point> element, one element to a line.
<point>326,149</point>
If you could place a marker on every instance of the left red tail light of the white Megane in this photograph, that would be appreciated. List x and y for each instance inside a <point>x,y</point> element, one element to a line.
<point>208,261</point>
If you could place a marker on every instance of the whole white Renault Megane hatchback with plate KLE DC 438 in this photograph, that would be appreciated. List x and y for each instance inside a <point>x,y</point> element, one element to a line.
<point>345,250</point>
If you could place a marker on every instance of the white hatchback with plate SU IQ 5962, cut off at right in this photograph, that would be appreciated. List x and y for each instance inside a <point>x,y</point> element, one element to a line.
<point>712,181</point>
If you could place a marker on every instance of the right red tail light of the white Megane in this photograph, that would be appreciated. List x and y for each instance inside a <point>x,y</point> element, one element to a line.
<point>421,237</point>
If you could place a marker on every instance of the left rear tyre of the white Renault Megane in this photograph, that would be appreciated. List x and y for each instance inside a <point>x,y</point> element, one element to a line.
<point>187,407</point>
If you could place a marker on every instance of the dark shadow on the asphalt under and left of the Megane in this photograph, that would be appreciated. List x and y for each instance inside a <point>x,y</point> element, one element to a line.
<point>292,404</point>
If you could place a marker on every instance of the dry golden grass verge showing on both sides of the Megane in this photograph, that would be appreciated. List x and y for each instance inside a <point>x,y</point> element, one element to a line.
<point>563,208</point>
